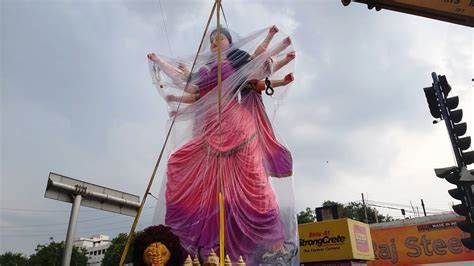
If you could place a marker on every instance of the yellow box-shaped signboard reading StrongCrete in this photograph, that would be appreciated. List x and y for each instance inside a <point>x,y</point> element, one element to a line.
<point>342,239</point>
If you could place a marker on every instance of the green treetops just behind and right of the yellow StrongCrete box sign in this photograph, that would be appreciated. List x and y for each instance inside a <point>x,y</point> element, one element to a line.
<point>356,211</point>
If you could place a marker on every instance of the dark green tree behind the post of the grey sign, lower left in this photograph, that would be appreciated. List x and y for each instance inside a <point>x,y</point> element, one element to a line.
<point>51,254</point>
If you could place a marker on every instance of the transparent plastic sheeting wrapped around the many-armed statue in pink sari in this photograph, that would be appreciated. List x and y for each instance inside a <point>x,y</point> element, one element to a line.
<point>232,148</point>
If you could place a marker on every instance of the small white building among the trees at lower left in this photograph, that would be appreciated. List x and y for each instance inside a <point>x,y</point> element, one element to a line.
<point>96,247</point>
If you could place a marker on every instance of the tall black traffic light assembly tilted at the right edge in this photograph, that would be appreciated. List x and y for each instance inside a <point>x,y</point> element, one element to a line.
<point>443,107</point>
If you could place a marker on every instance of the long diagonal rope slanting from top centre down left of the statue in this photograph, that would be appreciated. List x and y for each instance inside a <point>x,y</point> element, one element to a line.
<point>135,222</point>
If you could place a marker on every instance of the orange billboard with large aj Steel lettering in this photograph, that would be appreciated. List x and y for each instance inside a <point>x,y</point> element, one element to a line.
<point>423,243</point>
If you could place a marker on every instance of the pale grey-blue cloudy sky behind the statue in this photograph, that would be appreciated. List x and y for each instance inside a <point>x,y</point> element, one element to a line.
<point>76,99</point>
